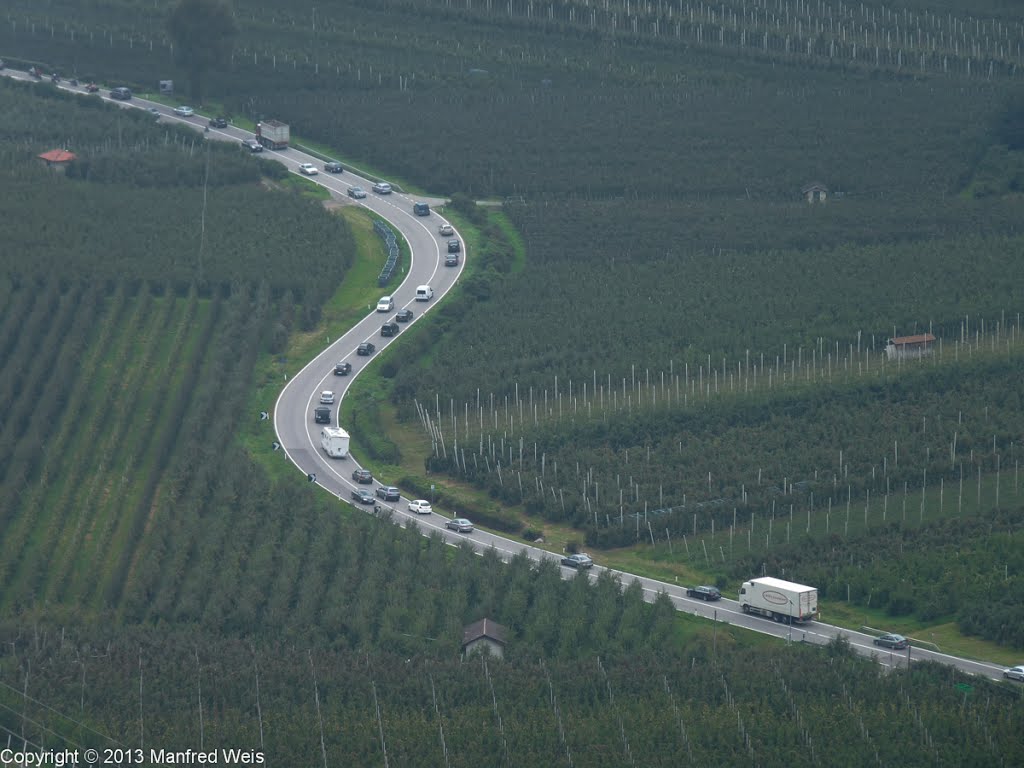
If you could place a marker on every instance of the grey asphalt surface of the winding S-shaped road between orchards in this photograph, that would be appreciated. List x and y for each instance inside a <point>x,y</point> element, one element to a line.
<point>298,436</point>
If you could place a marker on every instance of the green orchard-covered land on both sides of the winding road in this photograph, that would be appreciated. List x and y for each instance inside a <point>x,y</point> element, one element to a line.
<point>675,357</point>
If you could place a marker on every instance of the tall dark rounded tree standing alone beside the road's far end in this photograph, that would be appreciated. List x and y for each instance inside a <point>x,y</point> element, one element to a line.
<point>203,33</point>
